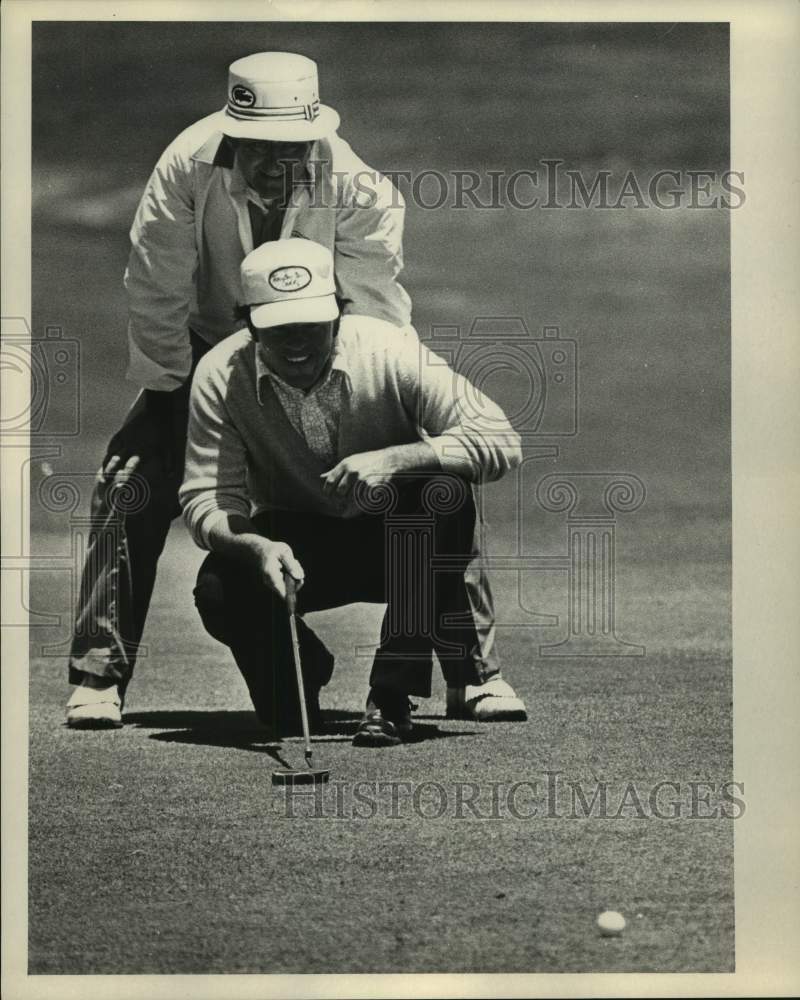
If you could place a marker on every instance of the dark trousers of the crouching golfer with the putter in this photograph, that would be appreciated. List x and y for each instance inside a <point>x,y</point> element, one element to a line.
<point>416,557</point>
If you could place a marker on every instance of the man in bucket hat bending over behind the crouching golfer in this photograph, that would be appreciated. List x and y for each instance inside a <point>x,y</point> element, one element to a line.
<point>267,167</point>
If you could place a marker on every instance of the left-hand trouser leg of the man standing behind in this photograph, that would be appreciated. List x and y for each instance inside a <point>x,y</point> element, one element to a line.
<point>127,535</point>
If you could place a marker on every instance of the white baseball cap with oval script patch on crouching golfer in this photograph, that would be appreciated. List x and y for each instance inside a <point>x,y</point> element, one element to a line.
<point>289,281</point>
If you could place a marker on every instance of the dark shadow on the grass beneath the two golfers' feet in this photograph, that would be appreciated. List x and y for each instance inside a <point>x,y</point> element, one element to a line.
<point>243,731</point>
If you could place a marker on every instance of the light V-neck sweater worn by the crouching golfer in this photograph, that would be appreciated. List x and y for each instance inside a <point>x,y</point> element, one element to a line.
<point>245,454</point>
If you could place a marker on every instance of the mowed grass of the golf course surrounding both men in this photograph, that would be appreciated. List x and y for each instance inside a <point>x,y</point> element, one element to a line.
<point>162,848</point>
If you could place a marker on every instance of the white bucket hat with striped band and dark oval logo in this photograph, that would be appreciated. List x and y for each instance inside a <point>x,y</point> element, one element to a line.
<point>275,95</point>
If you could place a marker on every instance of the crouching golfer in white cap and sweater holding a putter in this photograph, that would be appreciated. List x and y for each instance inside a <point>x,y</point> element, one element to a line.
<point>342,453</point>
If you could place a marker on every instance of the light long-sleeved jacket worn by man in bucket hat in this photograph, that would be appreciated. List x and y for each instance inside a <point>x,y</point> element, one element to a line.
<point>193,229</point>
